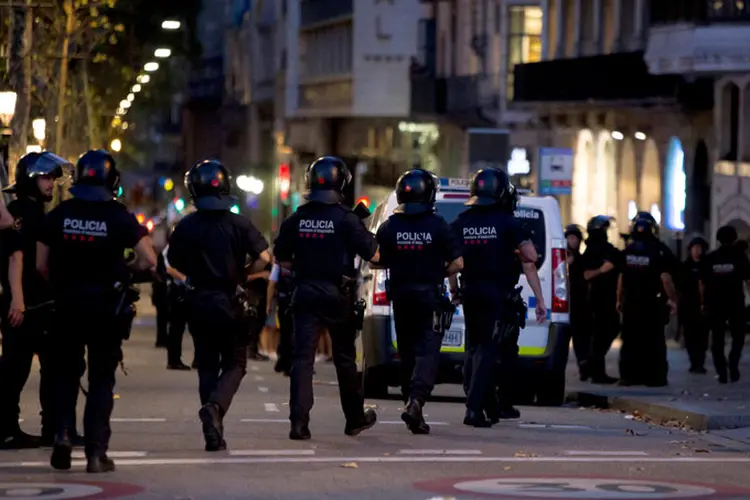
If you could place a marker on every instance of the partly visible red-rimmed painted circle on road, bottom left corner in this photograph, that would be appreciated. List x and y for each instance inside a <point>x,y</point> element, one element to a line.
<point>65,491</point>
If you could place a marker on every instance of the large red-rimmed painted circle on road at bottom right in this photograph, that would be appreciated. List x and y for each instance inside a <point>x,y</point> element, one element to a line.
<point>576,488</point>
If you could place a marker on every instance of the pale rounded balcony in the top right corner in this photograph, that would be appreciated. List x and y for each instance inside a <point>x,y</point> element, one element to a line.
<point>698,36</point>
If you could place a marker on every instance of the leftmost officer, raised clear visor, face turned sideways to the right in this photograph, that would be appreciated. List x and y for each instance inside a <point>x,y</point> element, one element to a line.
<point>25,333</point>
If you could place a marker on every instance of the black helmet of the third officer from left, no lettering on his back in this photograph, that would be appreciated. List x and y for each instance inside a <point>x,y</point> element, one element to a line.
<point>209,185</point>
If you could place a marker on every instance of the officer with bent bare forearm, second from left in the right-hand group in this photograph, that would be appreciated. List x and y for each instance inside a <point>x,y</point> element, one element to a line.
<point>601,267</point>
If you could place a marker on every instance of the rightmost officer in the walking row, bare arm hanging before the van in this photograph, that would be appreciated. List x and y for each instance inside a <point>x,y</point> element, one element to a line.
<point>496,249</point>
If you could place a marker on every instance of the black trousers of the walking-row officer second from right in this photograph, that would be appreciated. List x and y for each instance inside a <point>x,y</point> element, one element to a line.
<point>418,348</point>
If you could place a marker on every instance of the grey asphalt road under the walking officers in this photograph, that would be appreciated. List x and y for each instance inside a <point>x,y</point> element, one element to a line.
<point>548,453</point>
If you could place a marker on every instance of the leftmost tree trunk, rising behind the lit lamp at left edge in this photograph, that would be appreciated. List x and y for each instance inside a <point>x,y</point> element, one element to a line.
<point>20,79</point>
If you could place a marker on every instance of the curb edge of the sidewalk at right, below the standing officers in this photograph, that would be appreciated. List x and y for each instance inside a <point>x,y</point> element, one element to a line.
<point>662,413</point>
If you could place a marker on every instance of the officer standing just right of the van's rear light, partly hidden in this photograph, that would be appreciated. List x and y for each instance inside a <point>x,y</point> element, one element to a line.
<point>579,317</point>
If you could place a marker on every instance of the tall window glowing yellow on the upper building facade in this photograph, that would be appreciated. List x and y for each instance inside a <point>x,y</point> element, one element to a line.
<point>524,39</point>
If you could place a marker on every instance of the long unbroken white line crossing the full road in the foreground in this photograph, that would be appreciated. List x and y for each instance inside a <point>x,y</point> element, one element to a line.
<point>389,459</point>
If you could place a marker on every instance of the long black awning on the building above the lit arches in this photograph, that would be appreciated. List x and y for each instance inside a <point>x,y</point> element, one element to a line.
<point>621,77</point>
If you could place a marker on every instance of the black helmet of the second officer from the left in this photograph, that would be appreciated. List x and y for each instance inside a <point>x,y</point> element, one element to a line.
<point>97,178</point>
